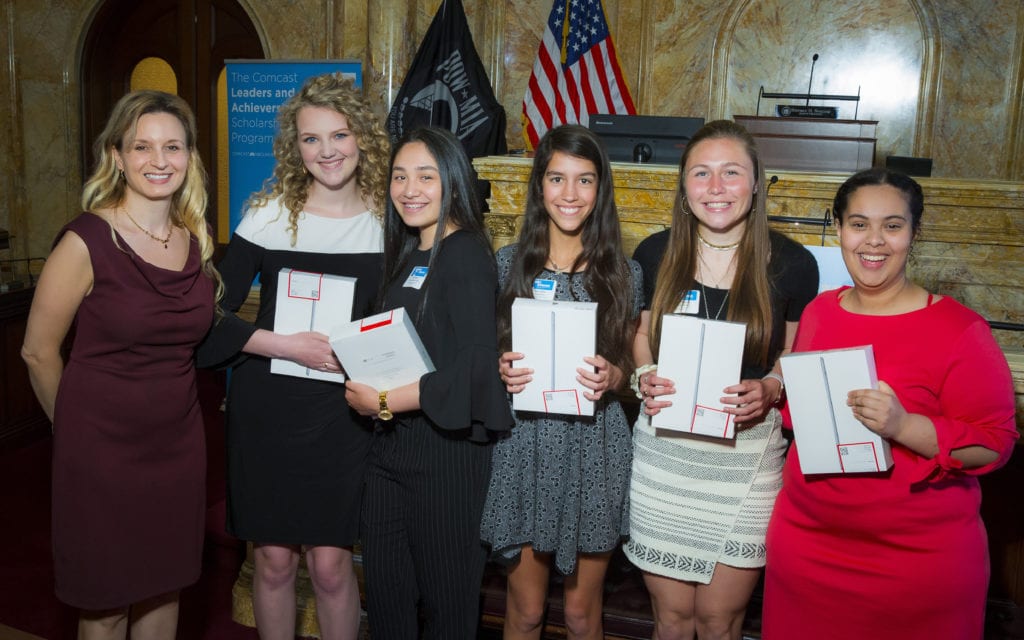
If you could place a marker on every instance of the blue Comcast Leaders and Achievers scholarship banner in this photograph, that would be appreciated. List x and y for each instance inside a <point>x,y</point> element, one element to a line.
<point>257,90</point>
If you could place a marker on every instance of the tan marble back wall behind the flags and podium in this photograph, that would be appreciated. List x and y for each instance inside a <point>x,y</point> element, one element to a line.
<point>945,78</point>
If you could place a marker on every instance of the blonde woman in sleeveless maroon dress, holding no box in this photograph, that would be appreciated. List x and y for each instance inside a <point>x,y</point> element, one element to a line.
<point>134,273</point>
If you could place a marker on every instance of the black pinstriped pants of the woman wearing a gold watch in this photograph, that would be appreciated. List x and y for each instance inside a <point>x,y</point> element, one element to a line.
<point>422,552</point>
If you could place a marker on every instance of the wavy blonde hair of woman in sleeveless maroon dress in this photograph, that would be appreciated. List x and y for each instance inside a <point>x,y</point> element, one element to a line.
<point>106,188</point>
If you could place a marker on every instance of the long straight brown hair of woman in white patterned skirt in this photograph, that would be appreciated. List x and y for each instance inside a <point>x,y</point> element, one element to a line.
<point>750,296</point>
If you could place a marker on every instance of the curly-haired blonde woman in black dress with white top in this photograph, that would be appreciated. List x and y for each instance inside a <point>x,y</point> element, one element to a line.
<point>296,453</point>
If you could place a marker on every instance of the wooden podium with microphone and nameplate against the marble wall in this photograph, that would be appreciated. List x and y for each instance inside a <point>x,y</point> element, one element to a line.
<point>814,144</point>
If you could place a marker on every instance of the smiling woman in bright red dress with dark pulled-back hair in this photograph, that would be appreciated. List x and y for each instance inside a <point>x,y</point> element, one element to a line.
<point>904,553</point>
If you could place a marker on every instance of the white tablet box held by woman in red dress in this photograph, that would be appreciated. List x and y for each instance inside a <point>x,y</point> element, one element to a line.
<point>831,440</point>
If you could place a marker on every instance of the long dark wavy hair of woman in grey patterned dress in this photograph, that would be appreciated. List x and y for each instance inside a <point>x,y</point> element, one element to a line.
<point>607,278</point>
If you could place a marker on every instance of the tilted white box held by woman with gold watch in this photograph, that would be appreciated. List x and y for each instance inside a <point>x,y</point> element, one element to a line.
<point>383,351</point>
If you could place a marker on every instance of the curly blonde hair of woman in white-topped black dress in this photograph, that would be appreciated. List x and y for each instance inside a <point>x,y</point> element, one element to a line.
<point>291,181</point>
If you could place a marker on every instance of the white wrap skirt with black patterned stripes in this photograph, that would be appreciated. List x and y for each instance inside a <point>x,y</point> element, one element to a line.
<point>696,502</point>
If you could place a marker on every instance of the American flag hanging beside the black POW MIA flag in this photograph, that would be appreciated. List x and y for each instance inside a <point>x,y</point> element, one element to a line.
<point>576,73</point>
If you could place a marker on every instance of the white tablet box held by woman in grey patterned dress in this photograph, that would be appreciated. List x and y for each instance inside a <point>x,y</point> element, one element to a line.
<point>554,337</point>
